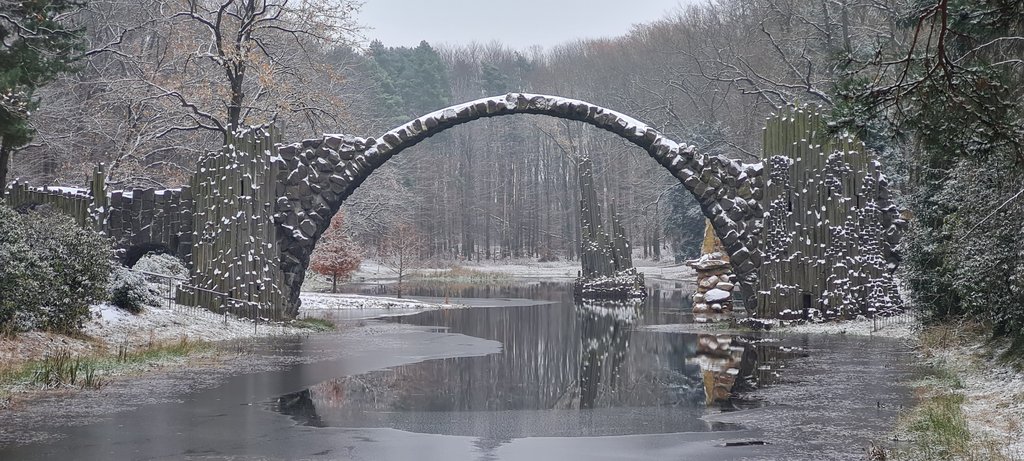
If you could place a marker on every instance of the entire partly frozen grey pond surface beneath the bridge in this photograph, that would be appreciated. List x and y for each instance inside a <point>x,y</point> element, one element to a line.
<point>525,373</point>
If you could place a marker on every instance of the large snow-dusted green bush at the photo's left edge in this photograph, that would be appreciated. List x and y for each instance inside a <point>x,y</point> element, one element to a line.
<point>51,272</point>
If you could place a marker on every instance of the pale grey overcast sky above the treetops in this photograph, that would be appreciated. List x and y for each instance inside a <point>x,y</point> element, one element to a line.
<point>520,24</point>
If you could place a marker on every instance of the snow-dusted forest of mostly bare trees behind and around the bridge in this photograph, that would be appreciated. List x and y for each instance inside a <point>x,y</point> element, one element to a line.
<point>934,87</point>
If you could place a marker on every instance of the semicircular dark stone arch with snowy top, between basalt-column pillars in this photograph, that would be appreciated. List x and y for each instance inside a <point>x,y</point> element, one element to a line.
<point>318,176</point>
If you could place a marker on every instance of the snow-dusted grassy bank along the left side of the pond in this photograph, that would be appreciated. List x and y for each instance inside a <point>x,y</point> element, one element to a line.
<point>115,346</point>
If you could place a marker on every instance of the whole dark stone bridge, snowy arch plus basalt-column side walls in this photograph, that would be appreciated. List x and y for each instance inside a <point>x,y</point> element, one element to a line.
<point>307,184</point>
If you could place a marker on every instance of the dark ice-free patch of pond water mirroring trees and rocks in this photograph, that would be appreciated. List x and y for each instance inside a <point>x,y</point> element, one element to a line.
<point>566,369</point>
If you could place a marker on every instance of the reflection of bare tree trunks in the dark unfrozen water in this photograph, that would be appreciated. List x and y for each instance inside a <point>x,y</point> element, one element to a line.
<point>553,358</point>
